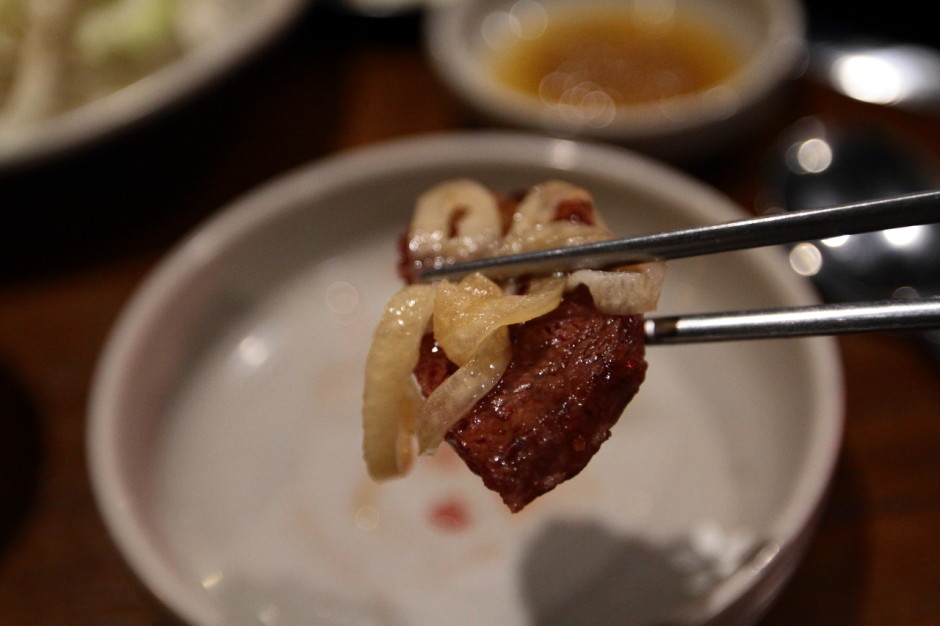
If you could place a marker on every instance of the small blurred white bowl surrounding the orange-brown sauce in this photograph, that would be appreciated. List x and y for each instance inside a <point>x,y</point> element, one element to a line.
<point>769,36</point>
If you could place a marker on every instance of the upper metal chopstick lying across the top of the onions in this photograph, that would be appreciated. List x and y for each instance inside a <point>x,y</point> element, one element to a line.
<point>766,230</point>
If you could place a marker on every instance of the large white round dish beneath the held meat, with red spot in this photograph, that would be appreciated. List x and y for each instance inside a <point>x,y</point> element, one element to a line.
<point>224,435</point>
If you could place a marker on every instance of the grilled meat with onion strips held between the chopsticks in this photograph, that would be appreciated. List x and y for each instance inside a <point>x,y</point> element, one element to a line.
<point>523,377</point>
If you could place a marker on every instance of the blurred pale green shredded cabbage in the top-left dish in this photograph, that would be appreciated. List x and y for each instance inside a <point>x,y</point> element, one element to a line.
<point>56,55</point>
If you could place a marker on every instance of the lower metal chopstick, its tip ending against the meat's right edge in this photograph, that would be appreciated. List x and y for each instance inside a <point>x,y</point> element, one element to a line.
<point>828,319</point>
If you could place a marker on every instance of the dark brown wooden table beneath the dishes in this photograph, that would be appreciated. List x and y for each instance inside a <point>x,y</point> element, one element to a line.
<point>79,234</point>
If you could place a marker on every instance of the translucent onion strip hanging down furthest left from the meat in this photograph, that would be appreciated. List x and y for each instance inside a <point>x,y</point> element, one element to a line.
<point>390,398</point>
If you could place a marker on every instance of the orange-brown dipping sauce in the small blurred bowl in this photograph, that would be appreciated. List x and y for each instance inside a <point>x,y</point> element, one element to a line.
<point>608,57</point>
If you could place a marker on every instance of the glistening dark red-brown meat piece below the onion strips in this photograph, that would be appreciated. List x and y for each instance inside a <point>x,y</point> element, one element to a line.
<point>572,373</point>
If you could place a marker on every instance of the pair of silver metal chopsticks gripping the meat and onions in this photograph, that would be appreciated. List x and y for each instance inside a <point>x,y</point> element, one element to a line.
<point>767,230</point>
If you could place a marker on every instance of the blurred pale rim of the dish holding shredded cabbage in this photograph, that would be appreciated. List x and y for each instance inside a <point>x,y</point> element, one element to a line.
<point>241,29</point>
